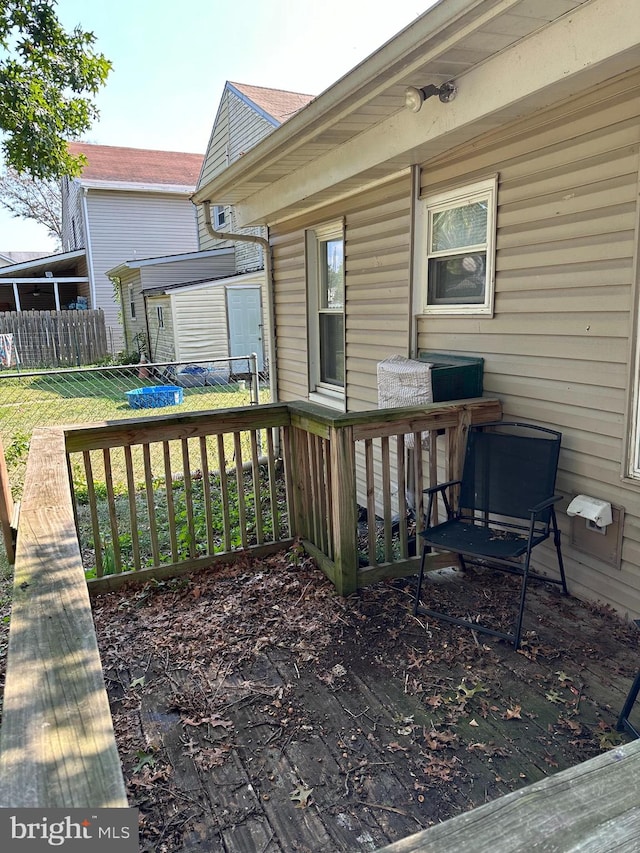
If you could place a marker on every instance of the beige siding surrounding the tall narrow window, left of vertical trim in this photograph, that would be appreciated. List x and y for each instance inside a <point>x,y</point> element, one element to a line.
<point>377,258</point>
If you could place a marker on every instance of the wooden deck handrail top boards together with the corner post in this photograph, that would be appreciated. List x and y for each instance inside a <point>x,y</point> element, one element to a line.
<point>57,745</point>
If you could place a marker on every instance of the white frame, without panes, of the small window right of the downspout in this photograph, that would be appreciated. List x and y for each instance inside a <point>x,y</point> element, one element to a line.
<point>486,190</point>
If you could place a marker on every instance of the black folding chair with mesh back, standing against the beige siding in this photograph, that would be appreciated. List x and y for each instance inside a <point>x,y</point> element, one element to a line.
<point>504,508</point>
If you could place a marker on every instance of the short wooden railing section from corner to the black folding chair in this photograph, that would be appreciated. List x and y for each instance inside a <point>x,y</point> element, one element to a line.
<point>372,465</point>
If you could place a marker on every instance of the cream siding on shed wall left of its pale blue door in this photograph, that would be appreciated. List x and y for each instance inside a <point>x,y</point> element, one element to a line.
<point>200,323</point>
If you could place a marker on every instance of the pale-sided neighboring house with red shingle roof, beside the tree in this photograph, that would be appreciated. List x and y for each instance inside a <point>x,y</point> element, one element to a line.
<point>128,203</point>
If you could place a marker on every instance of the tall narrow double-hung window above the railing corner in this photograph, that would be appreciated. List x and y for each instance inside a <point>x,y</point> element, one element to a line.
<point>325,276</point>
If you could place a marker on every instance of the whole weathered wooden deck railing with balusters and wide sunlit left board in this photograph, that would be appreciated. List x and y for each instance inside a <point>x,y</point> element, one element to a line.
<point>57,746</point>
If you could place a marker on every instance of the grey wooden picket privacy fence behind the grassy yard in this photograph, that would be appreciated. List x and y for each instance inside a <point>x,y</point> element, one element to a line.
<point>56,338</point>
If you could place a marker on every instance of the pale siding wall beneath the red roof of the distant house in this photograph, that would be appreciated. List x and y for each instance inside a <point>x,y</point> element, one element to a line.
<point>132,226</point>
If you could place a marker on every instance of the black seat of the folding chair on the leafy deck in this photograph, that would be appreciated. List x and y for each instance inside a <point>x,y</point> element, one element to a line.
<point>478,540</point>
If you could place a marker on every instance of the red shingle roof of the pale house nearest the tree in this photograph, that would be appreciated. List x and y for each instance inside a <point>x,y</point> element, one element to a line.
<point>138,165</point>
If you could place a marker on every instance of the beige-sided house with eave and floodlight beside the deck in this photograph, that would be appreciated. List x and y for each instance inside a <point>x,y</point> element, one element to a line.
<point>502,224</point>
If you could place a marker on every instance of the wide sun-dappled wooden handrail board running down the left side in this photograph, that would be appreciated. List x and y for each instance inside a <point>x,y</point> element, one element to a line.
<point>57,746</point>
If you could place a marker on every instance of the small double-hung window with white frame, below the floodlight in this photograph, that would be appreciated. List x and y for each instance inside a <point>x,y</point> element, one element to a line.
<point>458,265</point>
